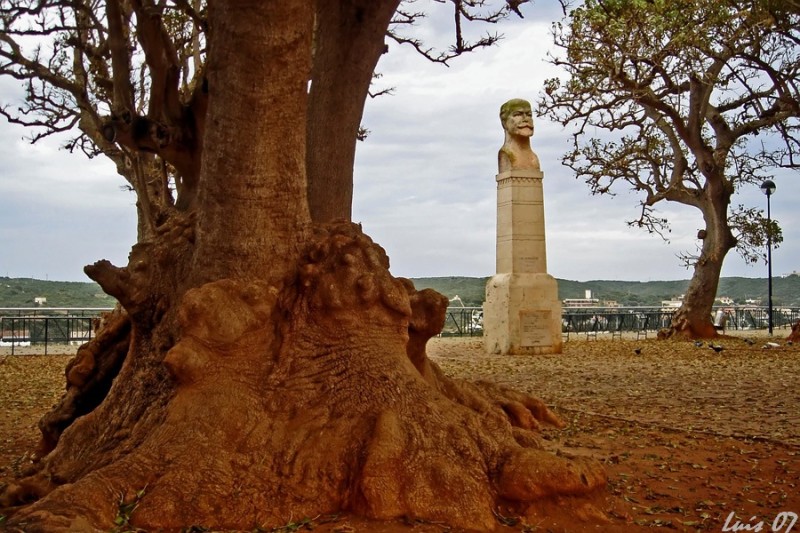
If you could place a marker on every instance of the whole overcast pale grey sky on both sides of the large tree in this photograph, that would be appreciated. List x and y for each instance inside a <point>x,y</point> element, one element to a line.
<point>424,182</point>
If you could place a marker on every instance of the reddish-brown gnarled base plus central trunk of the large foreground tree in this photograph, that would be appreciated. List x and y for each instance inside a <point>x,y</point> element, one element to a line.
<point>275,367</point>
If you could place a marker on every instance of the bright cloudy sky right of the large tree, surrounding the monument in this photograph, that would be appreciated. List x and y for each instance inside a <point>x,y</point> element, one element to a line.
<point>425,183</point>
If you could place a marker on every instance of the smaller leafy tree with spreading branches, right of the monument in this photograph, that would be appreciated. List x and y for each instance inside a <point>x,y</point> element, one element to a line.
<point>694,99</point>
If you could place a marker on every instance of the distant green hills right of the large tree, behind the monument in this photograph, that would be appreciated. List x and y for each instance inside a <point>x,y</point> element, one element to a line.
<point>785,291</point>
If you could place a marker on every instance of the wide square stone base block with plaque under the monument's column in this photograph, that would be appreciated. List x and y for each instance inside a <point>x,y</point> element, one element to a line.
<point>522,315</point>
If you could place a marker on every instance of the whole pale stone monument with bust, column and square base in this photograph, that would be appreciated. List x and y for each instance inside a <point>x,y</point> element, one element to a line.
<point>522,312</point>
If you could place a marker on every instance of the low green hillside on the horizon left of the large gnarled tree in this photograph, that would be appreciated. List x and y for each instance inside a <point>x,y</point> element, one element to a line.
<point>20,292</point>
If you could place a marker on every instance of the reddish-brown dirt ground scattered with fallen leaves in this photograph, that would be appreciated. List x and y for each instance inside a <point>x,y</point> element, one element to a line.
<point>693,439</point>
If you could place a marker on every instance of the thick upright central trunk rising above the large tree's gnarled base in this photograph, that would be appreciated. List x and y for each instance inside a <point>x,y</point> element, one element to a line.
<point>253,183</point>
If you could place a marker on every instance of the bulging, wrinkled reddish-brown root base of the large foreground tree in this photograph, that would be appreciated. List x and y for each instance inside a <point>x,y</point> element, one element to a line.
<point>306,400</point>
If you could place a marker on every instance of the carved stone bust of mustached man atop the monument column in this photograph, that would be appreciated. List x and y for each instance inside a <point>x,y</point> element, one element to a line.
<point>516,154</point>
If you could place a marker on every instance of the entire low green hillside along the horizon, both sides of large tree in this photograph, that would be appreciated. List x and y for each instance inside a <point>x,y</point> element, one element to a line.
<point>20,292</point>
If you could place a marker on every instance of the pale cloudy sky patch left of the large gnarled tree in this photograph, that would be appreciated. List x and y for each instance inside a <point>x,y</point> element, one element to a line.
<point>59,211</point>
